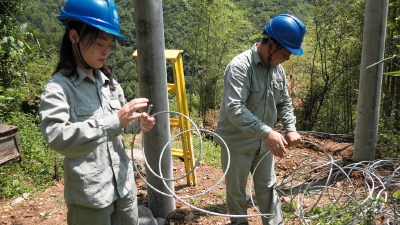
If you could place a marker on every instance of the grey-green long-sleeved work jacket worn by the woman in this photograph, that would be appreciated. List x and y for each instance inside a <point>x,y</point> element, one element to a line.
<point>79,121</point>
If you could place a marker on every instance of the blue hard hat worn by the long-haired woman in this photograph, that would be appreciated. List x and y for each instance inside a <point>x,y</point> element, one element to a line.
<point>102,14</point>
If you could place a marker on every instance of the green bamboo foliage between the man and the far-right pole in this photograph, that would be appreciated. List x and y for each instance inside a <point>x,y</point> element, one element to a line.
<point>328,78</point>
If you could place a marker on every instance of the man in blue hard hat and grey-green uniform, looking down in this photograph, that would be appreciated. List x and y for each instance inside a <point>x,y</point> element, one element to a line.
<point>254,95</point>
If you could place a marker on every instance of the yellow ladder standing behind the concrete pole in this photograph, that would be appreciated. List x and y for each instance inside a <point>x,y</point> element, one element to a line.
<point>179,89</point>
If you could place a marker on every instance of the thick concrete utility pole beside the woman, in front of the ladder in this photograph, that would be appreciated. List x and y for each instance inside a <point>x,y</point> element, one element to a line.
<point>153,85</point>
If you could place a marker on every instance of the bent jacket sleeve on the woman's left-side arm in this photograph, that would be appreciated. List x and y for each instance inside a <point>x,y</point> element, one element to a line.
<point>67,138</point>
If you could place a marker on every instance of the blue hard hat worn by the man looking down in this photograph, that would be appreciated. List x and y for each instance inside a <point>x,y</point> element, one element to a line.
<point>288,30</point>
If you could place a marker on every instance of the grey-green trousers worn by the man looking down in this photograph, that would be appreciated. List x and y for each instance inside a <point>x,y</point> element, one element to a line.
<point>264,183</point>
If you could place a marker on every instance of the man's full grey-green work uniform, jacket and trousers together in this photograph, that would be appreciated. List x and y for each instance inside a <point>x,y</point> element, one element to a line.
<point>254,97</point>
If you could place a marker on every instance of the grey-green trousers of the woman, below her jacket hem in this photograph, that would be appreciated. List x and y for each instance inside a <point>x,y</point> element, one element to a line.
<point>123,211</point>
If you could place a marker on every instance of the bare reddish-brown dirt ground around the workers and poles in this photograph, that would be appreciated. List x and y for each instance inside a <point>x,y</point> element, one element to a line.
<point>48,207</point>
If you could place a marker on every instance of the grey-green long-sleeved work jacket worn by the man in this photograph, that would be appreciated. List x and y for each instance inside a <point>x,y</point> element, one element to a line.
<point>253,97</point>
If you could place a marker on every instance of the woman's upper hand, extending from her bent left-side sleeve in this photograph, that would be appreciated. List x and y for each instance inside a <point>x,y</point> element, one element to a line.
<point>127,113</point>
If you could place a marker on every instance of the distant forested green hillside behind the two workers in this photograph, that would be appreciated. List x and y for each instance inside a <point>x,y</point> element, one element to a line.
<point>180,24</point>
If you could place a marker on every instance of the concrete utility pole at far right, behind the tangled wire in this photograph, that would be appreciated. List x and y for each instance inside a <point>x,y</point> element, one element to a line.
<point>370,80</point>
